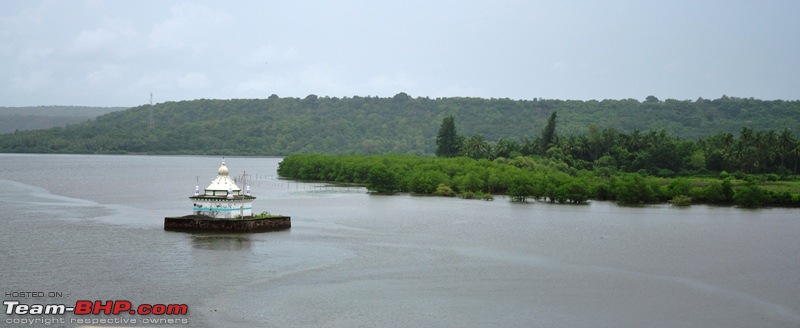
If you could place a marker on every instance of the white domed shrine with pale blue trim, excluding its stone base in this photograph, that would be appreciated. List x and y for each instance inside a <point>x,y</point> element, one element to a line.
<point>223,199</point>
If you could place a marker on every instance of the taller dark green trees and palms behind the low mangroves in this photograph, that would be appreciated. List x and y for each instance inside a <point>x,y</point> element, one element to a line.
<point>657,153</point>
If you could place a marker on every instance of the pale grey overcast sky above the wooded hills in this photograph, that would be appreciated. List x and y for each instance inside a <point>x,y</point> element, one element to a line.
<point>115,53</point>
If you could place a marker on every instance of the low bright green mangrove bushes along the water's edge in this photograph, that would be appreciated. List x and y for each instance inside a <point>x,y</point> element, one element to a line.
<point>529,177</point>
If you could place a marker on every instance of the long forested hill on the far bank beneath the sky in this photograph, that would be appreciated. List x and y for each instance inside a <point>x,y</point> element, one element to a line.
<point>369,125</point>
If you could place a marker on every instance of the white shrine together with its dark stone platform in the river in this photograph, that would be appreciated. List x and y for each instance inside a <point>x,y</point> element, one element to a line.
<point>222,207</point>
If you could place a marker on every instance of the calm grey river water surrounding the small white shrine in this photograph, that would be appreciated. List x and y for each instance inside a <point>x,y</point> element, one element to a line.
<point>85,227</point>
